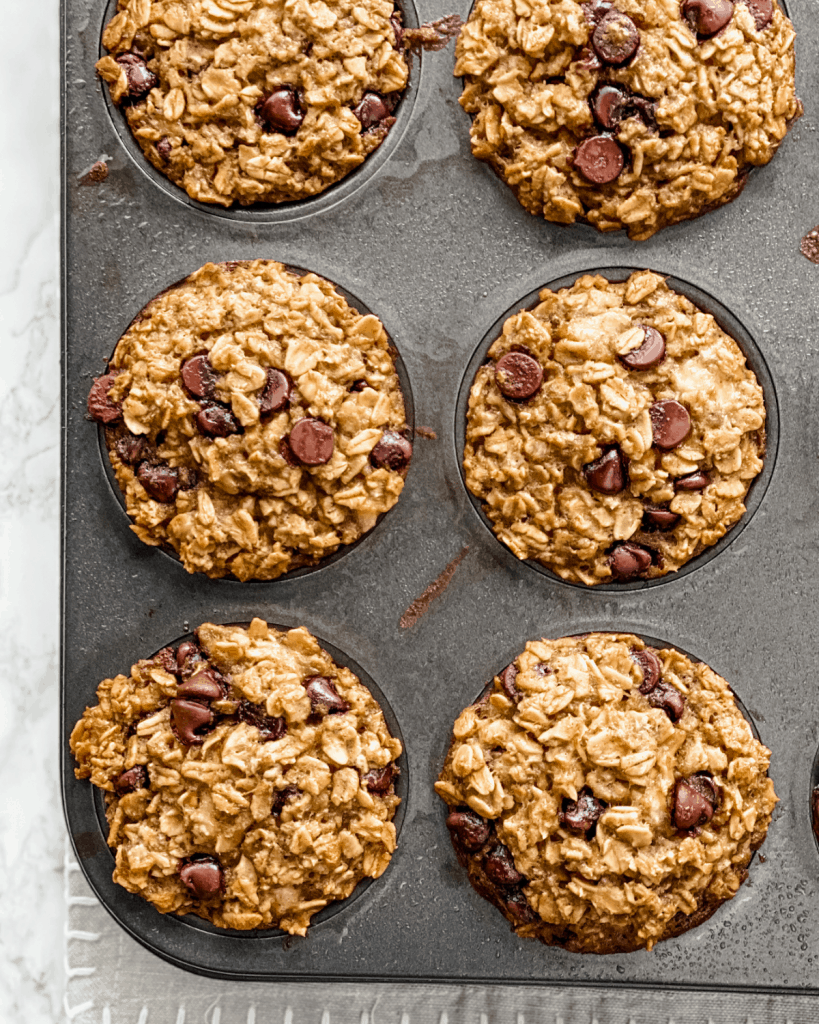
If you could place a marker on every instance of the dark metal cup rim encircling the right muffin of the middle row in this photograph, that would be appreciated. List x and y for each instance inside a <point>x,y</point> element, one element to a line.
<point>728,321</point>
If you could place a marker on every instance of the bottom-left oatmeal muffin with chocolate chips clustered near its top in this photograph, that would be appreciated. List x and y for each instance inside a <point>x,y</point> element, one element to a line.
<point>249,779</point>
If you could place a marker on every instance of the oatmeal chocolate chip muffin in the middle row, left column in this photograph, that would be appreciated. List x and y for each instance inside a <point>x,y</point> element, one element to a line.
<point>254,420</point>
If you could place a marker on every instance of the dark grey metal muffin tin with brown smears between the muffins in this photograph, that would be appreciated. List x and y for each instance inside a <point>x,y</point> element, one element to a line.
<point>434,243</point>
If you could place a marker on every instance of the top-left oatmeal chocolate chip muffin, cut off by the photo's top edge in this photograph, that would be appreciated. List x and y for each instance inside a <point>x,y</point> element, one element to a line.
<point>250,101</point>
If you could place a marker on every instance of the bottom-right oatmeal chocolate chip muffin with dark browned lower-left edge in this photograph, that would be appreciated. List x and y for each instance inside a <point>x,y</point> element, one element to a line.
<point>605,795</point>
